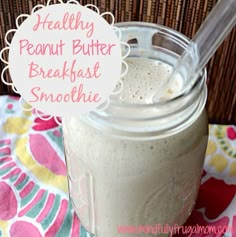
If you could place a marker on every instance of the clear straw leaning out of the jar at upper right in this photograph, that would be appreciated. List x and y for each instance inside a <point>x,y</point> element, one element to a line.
<point>212,32</point>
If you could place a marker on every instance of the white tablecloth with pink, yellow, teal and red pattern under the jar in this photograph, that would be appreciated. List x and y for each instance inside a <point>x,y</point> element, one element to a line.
<point>33,185</point>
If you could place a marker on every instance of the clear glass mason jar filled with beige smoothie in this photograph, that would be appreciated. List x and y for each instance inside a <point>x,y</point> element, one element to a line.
<point>139,164</point>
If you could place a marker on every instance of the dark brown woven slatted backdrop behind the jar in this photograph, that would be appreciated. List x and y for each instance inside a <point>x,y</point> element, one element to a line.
<point>184,16</point>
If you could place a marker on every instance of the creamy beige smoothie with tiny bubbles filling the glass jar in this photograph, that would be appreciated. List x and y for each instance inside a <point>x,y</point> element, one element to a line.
<point>115,181</point>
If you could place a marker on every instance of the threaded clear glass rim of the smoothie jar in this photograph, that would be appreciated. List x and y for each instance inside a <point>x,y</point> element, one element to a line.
<point>144,118</point>
